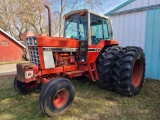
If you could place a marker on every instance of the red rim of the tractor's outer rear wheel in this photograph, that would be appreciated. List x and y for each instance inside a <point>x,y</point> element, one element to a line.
<point>137,73</point>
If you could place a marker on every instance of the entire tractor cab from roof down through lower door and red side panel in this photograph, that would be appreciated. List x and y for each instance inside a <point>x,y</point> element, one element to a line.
<point>90,29</point>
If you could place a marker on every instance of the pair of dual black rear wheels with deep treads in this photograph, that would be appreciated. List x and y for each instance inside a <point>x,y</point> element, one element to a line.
<point>122,69</point>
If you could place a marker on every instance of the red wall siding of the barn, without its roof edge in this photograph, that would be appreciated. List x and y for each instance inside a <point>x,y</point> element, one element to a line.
<point>12,52</point>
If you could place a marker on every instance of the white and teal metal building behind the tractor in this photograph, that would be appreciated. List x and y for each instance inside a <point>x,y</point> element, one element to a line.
<point>137,23</point>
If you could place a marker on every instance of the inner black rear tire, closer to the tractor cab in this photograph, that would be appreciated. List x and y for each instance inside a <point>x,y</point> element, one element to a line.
<point>105,63</point>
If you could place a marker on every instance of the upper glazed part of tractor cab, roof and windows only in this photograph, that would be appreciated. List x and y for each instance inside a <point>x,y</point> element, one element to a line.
<point>84,25</point>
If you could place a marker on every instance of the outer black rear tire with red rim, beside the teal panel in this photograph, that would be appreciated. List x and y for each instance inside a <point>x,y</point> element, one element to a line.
<point>129,70</point>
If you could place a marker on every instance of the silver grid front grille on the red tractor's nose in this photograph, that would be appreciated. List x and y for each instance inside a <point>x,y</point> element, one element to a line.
<point>34,55</point>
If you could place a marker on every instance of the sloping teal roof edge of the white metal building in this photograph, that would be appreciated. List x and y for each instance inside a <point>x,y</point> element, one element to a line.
<point>119,7</point>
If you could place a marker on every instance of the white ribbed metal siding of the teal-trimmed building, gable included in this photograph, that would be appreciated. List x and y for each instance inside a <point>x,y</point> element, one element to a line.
<point>130,29</point>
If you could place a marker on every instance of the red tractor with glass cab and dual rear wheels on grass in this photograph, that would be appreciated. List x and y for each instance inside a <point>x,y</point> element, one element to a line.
<point>86,49</point>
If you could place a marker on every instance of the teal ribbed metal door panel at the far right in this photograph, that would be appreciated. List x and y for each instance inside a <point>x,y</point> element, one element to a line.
<point>152,44</point>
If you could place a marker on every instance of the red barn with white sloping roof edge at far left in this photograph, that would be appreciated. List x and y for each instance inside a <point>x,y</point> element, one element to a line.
<point>10,48</point>
